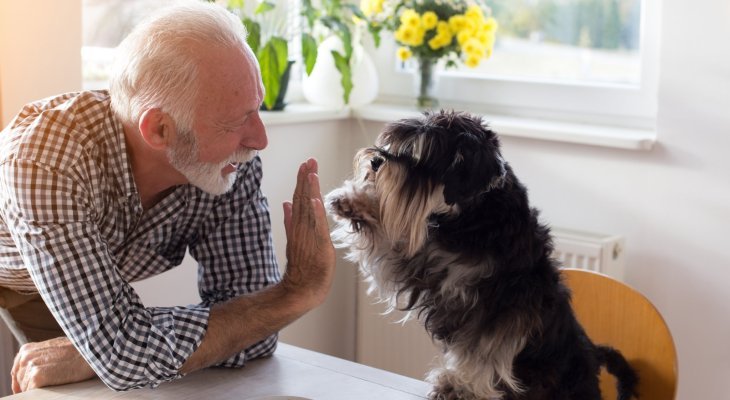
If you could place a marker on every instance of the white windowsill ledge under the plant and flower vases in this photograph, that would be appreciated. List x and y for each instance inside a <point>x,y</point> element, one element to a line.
<point>540,129</point>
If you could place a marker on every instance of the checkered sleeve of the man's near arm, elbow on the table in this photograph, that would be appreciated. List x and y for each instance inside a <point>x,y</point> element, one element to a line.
<point>52,219</point>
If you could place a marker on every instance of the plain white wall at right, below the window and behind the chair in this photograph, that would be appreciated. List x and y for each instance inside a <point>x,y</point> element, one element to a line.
<point>672,204</point>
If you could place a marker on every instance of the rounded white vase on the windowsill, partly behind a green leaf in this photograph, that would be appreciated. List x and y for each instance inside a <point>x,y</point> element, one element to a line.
<point>323,86</point>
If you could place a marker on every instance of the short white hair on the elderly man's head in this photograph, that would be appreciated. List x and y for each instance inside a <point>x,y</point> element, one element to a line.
<point>156,66</point>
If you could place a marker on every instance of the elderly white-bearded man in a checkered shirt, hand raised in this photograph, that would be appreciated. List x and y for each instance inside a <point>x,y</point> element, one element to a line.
<point>101,189</point>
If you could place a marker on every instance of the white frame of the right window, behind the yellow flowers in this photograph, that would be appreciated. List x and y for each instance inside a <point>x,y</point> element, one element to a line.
<point>600,103</point>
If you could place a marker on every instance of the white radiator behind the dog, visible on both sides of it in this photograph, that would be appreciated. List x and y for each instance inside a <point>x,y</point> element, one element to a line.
<point>406,349</point>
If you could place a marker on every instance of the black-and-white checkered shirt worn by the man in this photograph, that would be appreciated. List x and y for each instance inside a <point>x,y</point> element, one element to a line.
<point>72,228</point>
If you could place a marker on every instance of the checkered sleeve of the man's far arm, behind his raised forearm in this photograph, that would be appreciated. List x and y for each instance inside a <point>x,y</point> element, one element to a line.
<point>237,255</point>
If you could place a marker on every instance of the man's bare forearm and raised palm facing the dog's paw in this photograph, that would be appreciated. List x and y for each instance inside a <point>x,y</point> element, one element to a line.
<point>247,319</point>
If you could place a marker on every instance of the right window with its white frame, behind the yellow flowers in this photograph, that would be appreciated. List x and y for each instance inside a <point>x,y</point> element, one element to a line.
<point>574,60</point>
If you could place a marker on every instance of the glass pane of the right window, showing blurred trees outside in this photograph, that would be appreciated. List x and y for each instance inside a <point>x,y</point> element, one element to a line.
<point>579,41</point>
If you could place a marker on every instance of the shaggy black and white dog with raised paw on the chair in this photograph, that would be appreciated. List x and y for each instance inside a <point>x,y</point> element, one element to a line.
<point>442,227</point>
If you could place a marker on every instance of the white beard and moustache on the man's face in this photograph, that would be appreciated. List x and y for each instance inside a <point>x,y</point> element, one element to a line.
<point>205,175</point>
